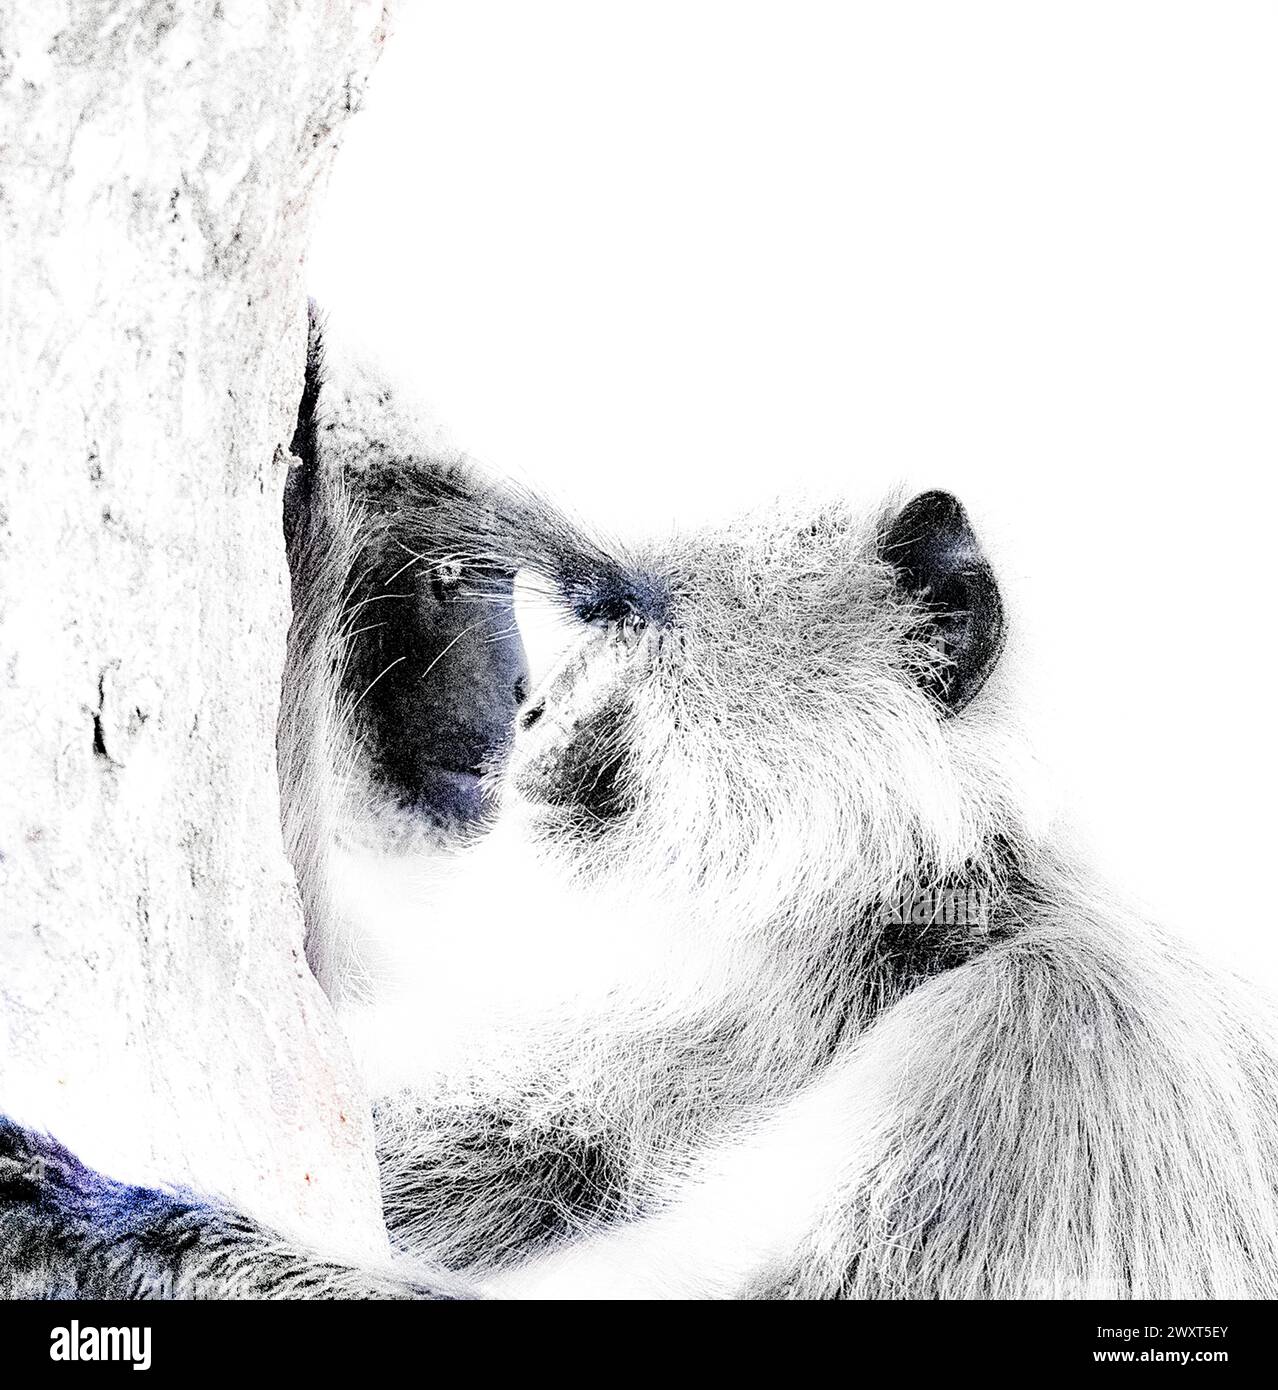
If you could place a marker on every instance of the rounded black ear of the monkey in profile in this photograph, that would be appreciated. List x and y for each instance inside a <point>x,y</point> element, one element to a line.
<point>938,559</point>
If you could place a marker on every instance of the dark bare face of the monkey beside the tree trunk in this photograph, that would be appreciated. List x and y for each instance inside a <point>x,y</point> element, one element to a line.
<point>436,675</point>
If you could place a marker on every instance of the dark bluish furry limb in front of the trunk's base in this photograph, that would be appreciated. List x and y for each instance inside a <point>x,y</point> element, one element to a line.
<point>67,1232</point>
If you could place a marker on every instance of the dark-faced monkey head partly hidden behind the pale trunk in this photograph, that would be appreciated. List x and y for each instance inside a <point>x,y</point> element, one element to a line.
<point>426,665</point>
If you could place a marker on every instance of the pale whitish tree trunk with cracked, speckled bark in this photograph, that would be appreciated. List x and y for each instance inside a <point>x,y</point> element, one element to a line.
<point>158,169</point>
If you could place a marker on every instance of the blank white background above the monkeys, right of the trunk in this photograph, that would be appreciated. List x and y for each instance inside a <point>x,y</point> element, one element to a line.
<point>675,258</point>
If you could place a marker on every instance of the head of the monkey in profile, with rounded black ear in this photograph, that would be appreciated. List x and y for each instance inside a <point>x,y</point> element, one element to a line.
<point>775,705</point>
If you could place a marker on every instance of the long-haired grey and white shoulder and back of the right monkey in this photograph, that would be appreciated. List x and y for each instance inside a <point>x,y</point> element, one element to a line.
<point>1083,1111</point>
